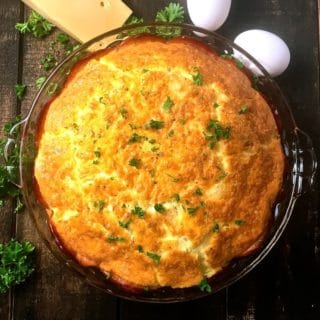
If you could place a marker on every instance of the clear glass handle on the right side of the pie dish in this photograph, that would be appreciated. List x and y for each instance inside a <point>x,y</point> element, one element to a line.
<point>306,163</point>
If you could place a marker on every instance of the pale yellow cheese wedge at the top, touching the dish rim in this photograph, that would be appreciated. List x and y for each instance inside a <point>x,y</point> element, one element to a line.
<point>82,19</point>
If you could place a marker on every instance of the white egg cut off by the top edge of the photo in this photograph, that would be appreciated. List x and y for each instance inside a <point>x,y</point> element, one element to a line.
<point>208,14</point>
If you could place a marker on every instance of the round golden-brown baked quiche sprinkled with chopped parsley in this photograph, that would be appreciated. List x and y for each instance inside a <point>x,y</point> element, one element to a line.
<point>158,162</point>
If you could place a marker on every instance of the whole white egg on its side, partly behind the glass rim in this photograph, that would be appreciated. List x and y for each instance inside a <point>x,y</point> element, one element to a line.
<point>267,48</point>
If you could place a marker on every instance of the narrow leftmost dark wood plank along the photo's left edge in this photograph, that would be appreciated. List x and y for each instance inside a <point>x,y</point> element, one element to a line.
<point>9,53</point>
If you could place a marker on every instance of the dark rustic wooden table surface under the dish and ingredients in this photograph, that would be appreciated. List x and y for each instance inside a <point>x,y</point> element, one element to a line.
<point>286,285</point>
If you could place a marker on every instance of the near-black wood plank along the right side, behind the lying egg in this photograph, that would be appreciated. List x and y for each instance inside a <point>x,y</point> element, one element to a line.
<point>286,284</point>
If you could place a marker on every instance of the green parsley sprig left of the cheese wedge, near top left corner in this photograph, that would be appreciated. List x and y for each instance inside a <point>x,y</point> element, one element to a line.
<point>36,25</point>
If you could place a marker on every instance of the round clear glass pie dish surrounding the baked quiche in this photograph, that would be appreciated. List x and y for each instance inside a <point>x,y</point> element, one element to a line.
<point>298,176</point>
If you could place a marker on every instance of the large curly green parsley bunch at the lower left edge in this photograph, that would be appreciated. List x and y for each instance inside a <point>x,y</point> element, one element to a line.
<point>16,263</point>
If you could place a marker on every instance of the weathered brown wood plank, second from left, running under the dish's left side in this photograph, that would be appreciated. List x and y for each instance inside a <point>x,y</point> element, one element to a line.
<point>53,292</point>
